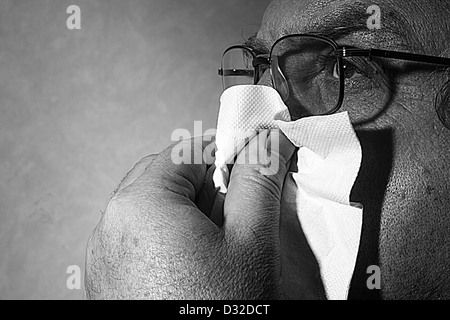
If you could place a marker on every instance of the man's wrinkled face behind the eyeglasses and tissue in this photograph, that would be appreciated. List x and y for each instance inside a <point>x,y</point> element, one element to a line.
<point>404,182</point>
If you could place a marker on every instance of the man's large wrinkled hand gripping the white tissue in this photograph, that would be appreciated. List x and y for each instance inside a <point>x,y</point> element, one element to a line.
<point>154,242</point>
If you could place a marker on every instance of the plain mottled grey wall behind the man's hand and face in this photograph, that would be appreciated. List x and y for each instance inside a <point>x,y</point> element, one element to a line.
<point>79,107</point>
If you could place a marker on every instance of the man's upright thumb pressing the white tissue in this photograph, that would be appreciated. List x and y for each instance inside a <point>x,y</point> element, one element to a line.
<point>252,204</point>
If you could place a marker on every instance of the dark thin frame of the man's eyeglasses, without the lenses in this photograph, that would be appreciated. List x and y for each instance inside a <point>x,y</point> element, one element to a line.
<point>264,61</point>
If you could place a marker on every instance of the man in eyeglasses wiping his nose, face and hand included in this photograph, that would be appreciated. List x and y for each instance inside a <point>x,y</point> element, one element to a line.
<point>154,241</point>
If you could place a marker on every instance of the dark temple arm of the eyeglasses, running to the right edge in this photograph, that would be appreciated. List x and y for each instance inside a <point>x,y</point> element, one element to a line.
<point>352,52</point>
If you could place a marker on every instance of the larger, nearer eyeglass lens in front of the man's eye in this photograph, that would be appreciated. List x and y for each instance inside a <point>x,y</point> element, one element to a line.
<point>305,71</point>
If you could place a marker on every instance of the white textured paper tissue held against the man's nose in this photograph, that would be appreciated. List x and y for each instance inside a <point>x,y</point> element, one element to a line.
<point>329,158</point>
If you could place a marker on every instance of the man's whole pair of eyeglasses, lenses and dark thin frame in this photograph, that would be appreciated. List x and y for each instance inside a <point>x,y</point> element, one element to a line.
<point>312,72</point>
